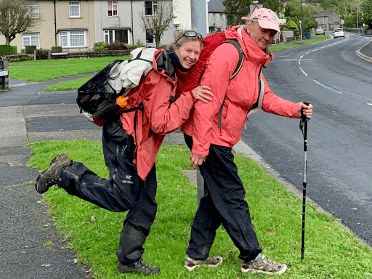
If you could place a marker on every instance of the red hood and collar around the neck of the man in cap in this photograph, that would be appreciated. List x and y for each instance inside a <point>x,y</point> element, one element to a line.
<point>251,51</point>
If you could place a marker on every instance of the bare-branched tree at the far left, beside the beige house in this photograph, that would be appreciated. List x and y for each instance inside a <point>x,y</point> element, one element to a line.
<point>15,17</point>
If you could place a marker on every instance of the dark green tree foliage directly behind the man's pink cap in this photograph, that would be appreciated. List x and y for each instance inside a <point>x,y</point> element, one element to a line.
<point>235,9</point>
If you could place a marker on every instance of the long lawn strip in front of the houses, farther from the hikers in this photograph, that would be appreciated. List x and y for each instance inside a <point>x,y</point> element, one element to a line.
<point>44,70</point>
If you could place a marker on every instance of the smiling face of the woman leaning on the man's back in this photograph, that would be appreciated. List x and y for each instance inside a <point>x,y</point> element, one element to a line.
<point>188,53</point>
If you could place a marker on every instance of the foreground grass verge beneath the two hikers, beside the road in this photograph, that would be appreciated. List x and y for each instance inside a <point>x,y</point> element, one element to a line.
<point>330,250</point>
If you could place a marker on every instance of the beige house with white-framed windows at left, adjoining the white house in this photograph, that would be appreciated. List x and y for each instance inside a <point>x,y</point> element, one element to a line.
<point>59,23</point>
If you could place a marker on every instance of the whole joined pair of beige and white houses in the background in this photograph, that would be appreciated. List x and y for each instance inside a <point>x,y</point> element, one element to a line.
<point>77,25</point>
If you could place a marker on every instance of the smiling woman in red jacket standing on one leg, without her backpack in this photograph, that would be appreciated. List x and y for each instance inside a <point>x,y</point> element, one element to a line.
<point>130,146</point>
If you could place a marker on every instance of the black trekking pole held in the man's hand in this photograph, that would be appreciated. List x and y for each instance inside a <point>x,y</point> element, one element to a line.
<point>303,127</point>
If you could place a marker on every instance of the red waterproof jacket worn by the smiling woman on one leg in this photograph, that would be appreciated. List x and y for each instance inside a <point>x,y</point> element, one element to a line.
<point>159,116</point>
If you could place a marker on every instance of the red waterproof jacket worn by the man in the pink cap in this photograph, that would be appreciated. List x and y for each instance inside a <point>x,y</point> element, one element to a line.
<point>237,94</point>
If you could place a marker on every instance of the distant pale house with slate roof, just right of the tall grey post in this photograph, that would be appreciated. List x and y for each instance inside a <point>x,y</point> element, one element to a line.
<point>216,16</point>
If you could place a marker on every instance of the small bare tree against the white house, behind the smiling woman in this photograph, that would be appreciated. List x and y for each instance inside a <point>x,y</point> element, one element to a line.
<point>157,17</point>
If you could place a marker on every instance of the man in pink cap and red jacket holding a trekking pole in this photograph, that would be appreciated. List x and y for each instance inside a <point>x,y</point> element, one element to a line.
<point>215,127</point>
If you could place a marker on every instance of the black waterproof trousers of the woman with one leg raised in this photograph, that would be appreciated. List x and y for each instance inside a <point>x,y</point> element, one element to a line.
<point>123,191</point>
